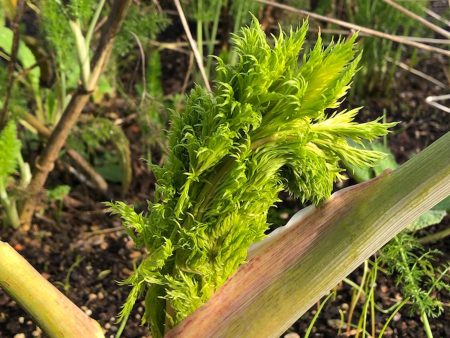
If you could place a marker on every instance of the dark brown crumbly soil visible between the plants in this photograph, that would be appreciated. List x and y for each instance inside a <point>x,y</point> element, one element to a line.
<point>85,253</point>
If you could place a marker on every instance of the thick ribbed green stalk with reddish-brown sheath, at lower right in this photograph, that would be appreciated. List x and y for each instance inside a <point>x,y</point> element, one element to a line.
<point>292,269</point>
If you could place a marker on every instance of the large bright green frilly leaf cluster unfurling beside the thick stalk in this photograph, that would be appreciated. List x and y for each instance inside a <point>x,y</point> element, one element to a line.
<point>265,128</point>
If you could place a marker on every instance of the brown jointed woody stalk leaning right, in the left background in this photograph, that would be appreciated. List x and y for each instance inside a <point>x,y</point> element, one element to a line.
<point>45,163</point>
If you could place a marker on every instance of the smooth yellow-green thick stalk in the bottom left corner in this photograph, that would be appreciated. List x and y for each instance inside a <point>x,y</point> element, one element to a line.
<point>55,314</point>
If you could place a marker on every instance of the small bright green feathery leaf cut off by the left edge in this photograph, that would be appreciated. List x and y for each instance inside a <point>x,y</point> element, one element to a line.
<point>9,150</point>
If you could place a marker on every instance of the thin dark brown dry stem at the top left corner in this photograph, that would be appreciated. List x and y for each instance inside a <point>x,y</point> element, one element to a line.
<point>12,62</point>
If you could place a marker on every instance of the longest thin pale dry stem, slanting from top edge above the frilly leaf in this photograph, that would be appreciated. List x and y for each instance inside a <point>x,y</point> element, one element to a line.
<point>368,31</point>
